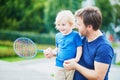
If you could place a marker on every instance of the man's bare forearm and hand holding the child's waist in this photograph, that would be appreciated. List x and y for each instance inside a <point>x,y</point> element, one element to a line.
<point>97,74</point>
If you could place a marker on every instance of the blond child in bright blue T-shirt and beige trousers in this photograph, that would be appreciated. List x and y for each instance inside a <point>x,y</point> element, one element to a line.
<point>68,45</point>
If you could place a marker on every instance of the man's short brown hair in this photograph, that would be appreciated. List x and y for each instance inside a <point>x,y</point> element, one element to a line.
<point>91,16</point>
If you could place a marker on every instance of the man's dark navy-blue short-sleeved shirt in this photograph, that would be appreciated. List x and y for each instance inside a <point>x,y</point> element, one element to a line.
<point>98,50</point>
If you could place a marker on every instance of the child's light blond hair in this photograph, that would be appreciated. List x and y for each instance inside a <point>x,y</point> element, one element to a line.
<point>65,15</point>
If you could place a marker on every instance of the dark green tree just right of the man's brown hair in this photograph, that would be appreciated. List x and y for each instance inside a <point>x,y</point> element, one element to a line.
<point>107,11</point>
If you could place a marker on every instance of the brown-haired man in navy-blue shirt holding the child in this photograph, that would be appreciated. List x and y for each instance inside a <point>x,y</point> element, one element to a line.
<point>97,54</point>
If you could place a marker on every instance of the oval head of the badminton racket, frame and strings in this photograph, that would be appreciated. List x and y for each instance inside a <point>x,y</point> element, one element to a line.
<point>25,47</point>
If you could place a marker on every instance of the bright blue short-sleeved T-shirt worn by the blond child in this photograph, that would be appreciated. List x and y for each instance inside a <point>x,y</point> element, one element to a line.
<point>67,46</point>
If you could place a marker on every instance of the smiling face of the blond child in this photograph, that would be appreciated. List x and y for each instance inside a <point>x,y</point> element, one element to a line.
<point>64,27</point>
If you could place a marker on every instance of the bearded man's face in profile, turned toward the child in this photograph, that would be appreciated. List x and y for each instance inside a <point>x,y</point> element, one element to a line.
<point>80,26</point>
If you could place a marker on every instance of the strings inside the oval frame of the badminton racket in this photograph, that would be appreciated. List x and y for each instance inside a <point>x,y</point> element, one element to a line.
<point>25,48</point>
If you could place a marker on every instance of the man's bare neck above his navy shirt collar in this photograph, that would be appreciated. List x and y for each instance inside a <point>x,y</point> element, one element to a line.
<point>94,35</point>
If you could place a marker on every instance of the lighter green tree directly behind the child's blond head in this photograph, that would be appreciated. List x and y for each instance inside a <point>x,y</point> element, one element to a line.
<point>52,7</point>
